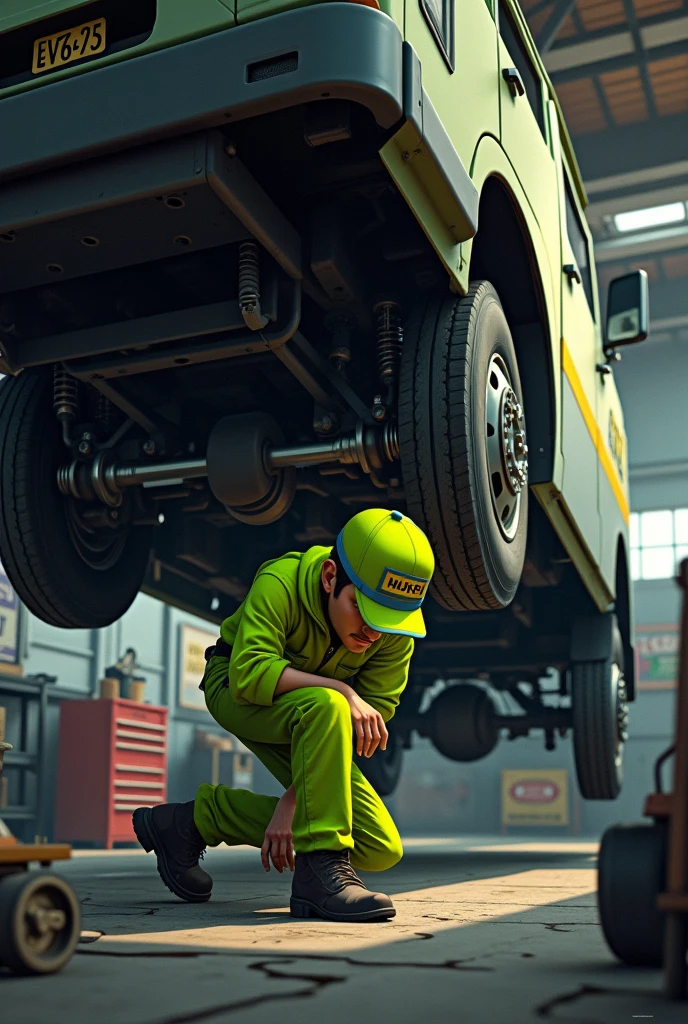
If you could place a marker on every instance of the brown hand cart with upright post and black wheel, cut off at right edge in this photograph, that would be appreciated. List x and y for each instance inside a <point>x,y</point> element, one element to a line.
<point>643,869</point>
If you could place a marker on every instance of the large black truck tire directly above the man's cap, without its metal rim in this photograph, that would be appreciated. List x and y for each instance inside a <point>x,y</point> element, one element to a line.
<point>447,352</point>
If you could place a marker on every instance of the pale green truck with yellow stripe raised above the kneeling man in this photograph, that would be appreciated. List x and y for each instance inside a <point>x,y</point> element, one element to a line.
<point>265,264</point>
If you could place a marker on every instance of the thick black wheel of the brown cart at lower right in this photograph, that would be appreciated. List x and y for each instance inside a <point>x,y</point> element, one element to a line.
<point>632,871</point>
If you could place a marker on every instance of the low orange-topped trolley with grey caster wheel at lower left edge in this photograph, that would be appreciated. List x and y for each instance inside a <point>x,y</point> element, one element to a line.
<point>40,919</point>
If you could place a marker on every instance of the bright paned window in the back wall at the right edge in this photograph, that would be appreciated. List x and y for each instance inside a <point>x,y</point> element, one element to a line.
<point>659,542</point>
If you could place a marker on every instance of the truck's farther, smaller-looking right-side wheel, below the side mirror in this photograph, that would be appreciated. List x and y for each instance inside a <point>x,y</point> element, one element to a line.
<point>594,724</point>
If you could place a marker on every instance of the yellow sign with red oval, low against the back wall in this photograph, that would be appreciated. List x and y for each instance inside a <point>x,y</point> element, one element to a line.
<point>532,797</point>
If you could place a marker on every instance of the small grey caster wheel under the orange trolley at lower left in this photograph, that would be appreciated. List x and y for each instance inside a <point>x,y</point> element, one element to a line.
<point>40,922</point>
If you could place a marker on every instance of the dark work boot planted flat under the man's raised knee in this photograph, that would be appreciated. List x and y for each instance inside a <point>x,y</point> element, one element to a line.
<point>326,886</point>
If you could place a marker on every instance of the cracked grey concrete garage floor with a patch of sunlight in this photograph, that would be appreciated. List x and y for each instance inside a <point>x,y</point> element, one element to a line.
<point>495,931</point>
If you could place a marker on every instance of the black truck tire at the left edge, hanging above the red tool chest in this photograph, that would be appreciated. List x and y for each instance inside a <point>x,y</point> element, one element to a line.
<point>36,547</point>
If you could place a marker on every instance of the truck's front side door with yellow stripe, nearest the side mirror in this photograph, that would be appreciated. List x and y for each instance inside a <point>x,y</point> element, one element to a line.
<point>581,353</point>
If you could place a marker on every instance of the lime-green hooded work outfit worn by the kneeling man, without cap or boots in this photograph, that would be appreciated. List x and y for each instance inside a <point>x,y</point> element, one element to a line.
<point>304,737</point>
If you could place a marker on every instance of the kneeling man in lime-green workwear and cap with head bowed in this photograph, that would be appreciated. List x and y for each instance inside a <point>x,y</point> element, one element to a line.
<point>316,657</point>
